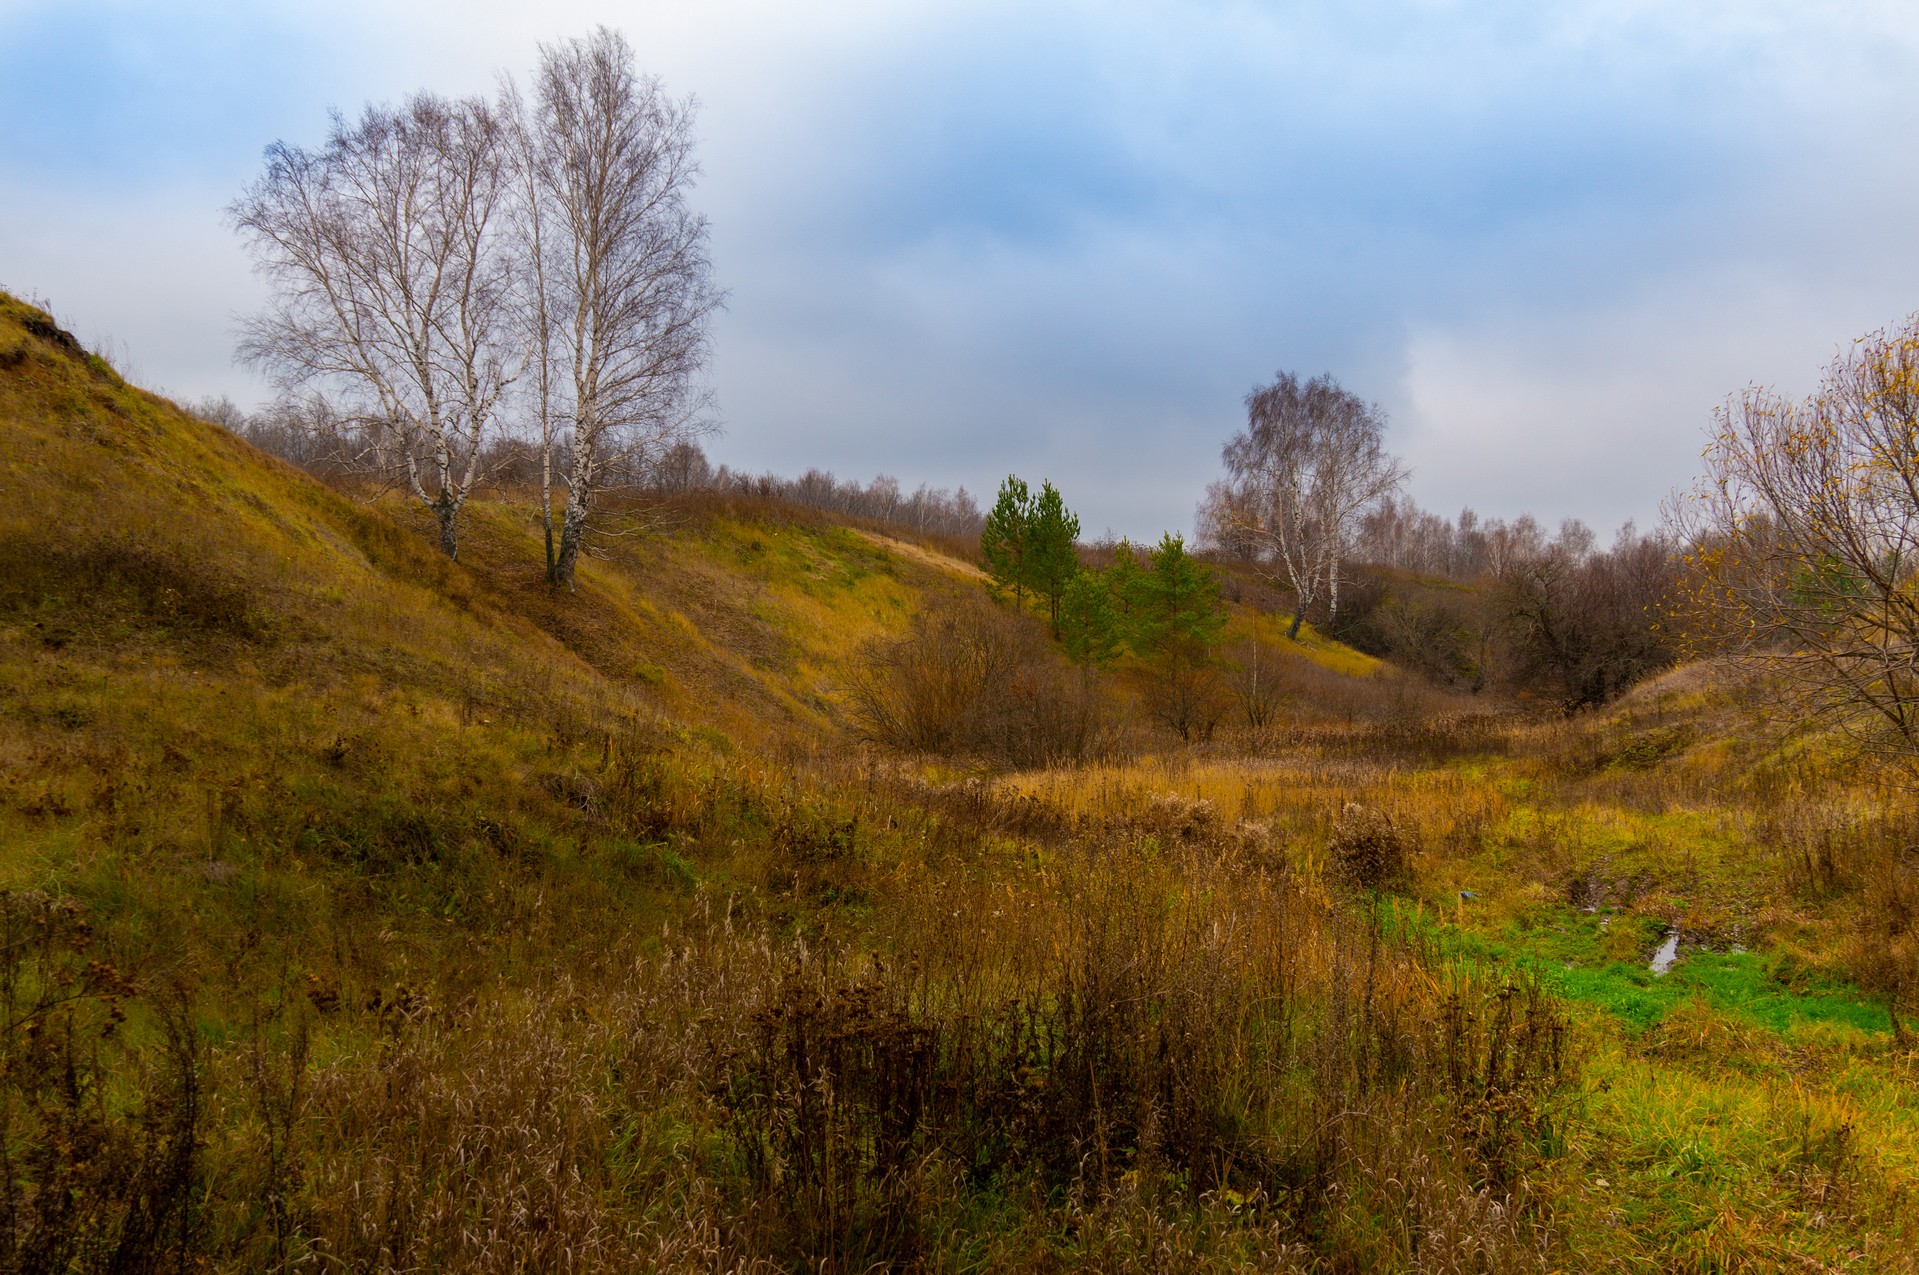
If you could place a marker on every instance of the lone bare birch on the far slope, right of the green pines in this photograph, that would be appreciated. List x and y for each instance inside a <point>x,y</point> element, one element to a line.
<point>1310,462</point>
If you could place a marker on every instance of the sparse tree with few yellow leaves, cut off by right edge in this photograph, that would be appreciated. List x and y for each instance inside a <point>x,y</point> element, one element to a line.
<point>1805,542</point>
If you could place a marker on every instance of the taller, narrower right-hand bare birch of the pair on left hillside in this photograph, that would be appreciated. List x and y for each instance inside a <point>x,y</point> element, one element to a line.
<point>625,285</point>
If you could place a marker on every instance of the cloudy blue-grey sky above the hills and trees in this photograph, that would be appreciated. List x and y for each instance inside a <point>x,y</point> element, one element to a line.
<point>1066,239</point>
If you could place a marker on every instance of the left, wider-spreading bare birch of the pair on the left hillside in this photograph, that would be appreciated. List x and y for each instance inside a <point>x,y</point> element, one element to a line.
<point>389,268</point>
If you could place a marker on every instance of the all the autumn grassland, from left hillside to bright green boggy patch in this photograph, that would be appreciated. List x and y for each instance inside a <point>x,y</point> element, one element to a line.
<point>369,911</point>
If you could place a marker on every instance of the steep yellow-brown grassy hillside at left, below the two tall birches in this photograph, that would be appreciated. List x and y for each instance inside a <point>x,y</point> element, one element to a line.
<point>235,702</point>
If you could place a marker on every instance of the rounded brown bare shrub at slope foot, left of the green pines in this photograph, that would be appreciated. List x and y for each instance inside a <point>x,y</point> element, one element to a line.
<point>978,681</point>
